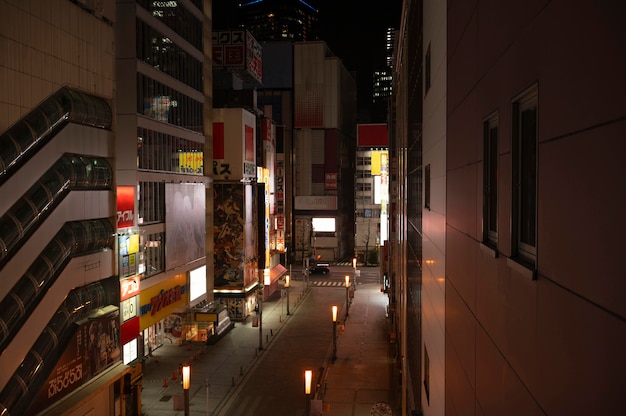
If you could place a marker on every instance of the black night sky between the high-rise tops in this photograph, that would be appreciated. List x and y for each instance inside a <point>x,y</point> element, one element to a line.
<point>355,32</point>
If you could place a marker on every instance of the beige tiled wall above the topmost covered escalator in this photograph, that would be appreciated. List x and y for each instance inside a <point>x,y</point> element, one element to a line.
<point>45,45</point>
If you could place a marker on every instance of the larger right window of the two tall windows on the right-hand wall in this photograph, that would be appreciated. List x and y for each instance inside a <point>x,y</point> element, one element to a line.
<point>525,116</point>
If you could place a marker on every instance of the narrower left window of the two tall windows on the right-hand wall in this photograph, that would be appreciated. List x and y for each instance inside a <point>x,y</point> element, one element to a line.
<point>490,181</point>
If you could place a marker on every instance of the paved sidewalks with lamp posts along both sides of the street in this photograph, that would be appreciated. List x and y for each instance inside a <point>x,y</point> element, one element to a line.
<point>360,376</point>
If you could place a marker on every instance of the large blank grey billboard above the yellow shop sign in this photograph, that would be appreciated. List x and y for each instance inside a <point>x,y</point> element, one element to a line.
<point>185,221</point>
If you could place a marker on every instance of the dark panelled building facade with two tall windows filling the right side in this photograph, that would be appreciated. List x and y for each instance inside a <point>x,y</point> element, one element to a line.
<point>519,184</point>
